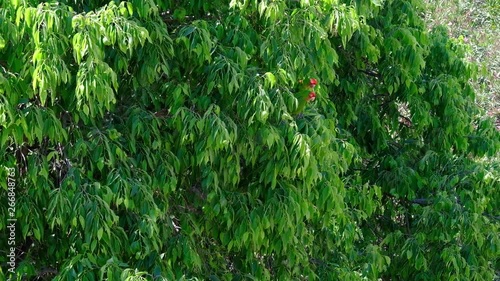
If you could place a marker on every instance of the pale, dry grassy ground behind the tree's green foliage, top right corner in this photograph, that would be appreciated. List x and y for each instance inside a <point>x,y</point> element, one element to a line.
<point>475,23</point>
